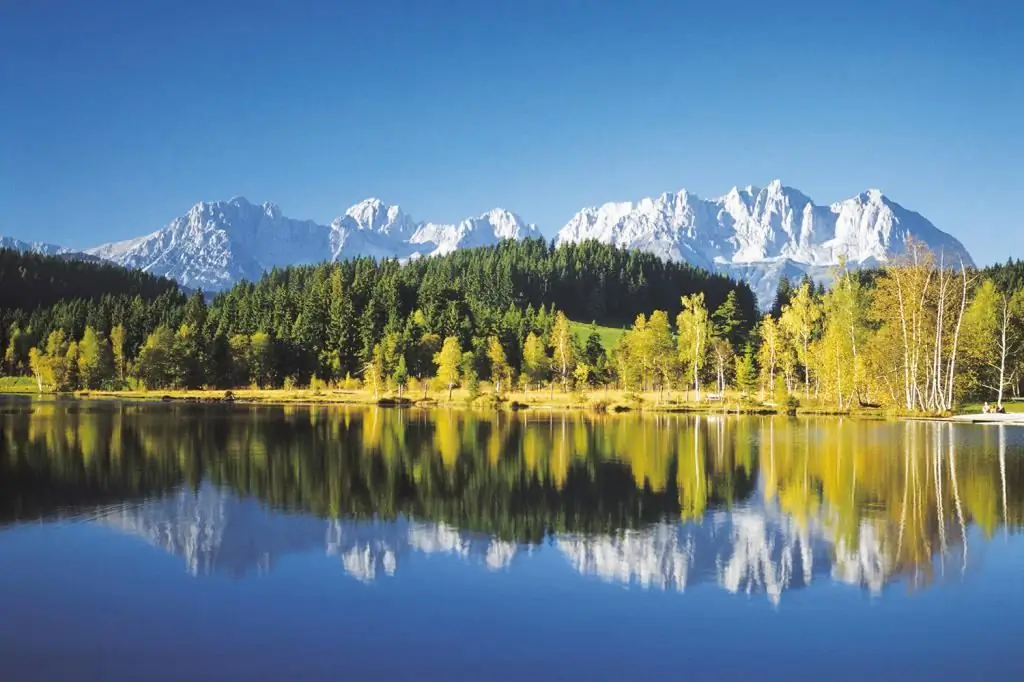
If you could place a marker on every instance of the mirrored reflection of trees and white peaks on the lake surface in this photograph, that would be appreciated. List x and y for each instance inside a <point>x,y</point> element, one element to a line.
<point>754,503</point>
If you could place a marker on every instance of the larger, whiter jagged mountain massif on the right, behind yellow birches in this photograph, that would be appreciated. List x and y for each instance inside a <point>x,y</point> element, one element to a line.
<point>758,235</point>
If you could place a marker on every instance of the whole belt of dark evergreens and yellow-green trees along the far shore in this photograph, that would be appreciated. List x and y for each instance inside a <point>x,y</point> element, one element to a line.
<point>916,335</point>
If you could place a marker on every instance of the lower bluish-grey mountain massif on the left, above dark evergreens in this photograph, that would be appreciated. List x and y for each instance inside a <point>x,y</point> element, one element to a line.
<point>218,244</point>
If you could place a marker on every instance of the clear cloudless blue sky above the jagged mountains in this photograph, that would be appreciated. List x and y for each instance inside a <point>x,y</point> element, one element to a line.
<point>116,117</point>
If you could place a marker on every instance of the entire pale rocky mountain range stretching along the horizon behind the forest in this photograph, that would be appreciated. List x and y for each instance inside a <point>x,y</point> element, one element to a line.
<point>757,235</point>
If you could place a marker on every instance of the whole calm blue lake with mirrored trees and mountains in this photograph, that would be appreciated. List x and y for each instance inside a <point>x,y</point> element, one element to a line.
<point>181,542</point>
